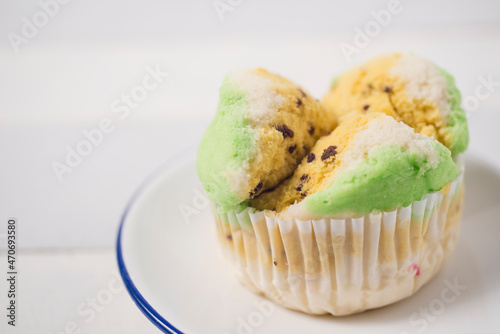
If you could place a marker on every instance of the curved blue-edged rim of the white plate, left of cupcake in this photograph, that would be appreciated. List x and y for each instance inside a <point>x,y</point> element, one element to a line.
<point>137,297</point>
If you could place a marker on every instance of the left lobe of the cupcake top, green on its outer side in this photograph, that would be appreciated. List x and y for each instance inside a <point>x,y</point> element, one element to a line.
<point>264,125</point>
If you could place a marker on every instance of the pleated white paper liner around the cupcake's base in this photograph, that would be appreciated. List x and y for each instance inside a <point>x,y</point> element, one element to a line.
<point>343,266</point>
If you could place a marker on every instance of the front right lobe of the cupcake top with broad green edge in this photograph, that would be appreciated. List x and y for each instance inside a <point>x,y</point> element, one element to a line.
<point>369,162</point>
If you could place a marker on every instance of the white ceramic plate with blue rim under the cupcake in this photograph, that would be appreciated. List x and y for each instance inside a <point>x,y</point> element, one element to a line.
<point>175,272</point>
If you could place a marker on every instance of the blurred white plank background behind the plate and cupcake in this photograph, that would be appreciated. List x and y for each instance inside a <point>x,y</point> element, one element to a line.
<point>64,80</point>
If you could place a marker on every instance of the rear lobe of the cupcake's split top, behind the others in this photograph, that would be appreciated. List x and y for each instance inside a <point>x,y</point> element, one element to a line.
<point>408,88</point>
